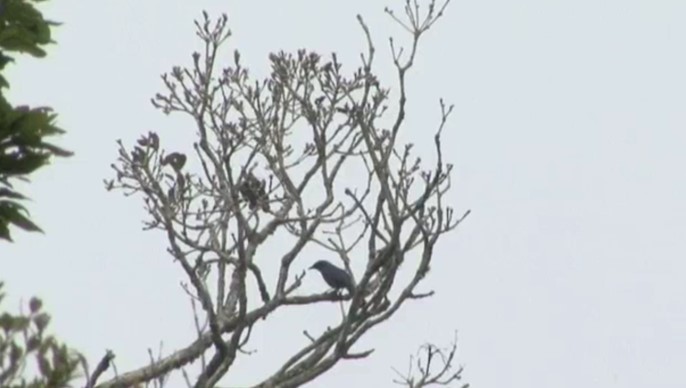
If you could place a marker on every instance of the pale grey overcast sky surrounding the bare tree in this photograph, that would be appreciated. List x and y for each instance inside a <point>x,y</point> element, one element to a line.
<point>568,140</point>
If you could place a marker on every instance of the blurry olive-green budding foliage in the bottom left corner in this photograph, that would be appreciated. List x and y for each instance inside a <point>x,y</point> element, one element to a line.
<point>23,338</point>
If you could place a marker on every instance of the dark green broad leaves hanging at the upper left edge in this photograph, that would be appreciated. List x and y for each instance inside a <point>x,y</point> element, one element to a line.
<point>23,130</point>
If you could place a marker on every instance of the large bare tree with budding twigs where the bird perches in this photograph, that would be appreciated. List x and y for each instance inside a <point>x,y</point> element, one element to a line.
<point>268,158</point>
